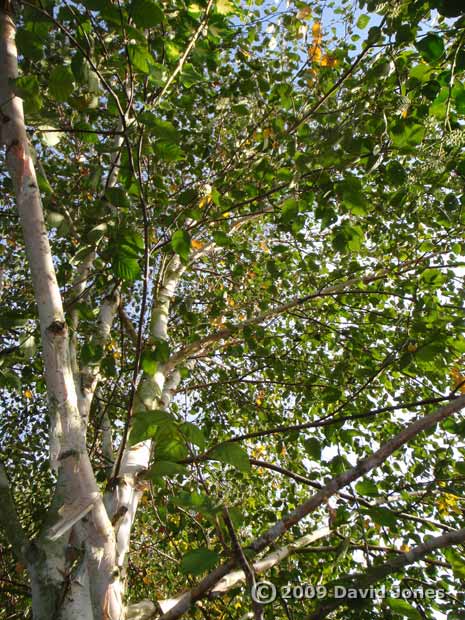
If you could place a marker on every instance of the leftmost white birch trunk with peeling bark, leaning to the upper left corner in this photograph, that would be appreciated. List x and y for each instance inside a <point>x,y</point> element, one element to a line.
<point>67,430</point>
